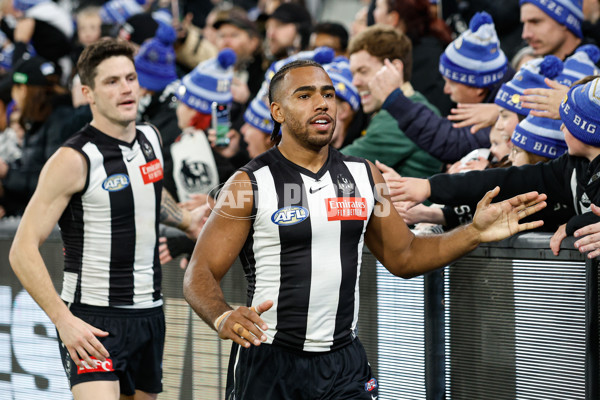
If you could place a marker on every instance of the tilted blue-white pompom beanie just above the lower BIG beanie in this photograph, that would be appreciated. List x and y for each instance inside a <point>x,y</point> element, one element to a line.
<point>530,76</point>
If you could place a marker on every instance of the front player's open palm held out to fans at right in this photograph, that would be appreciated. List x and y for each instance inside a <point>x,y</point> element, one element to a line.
<point>497,221</point>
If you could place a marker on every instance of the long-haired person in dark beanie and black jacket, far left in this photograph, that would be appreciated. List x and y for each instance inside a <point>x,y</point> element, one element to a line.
<point>48,119</point>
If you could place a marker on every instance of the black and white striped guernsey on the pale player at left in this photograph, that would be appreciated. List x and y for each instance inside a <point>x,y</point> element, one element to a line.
<point>110,228</point>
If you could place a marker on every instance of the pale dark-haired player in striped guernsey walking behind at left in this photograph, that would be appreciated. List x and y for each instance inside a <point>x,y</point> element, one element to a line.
<point>104,188</point>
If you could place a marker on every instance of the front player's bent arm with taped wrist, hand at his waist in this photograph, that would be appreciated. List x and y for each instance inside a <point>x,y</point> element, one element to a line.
<point>218,246</point>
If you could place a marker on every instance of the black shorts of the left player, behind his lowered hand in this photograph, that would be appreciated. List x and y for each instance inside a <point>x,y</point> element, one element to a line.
<point>135,344</point>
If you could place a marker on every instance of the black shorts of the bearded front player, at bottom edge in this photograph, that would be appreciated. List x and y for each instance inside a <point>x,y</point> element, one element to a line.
<point>268,372</point>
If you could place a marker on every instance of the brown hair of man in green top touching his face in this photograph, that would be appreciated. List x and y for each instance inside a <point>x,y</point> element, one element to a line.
<point>384,42</point>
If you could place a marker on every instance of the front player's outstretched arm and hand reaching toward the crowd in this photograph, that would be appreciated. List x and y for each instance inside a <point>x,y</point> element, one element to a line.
<point>407,255</point>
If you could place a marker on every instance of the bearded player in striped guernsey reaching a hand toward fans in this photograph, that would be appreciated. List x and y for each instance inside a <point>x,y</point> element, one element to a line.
<point>298,216</point>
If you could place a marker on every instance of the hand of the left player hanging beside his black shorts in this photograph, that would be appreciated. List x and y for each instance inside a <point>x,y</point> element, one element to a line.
<point>80,339</point>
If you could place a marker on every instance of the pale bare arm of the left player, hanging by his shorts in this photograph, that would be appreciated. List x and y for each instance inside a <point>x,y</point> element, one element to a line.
<point>63,175</point>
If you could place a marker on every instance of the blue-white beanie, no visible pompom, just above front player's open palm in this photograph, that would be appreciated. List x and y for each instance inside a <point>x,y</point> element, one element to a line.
<point>541,136</point>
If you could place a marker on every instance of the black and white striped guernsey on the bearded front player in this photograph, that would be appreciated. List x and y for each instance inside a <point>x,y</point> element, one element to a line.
<point>304,249</point>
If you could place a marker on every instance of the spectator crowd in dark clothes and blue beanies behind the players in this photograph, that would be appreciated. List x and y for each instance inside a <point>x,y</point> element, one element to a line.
<point>447,100</point>
